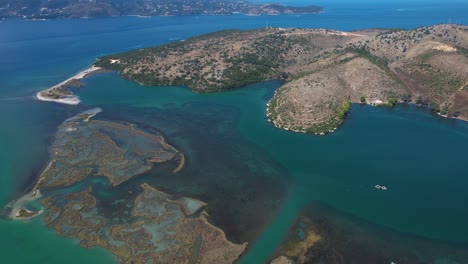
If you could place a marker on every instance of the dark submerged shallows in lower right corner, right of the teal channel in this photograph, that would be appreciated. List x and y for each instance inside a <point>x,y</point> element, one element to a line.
<point>348,239</point>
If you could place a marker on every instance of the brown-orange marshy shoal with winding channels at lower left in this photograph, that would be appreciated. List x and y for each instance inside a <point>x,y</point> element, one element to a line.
<point>135,222</point>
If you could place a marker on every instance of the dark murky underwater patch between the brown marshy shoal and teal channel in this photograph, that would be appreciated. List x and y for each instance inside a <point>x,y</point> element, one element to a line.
<point>241,185</point>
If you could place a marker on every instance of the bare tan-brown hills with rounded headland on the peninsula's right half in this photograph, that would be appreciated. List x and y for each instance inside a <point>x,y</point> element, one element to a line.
<point>427,66</point>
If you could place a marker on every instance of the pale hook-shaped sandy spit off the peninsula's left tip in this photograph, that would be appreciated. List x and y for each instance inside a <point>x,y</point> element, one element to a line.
<point>59,93</point>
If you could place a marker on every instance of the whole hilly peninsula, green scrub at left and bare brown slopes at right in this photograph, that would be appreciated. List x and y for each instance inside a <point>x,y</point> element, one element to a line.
<point>323,70</point>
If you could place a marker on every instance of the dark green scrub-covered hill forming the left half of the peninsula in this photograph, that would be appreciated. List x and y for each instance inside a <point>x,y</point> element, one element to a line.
<point>225,59</point>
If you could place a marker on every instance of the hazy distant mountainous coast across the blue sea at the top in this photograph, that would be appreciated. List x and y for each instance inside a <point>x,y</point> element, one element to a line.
<point>50,9</point>
